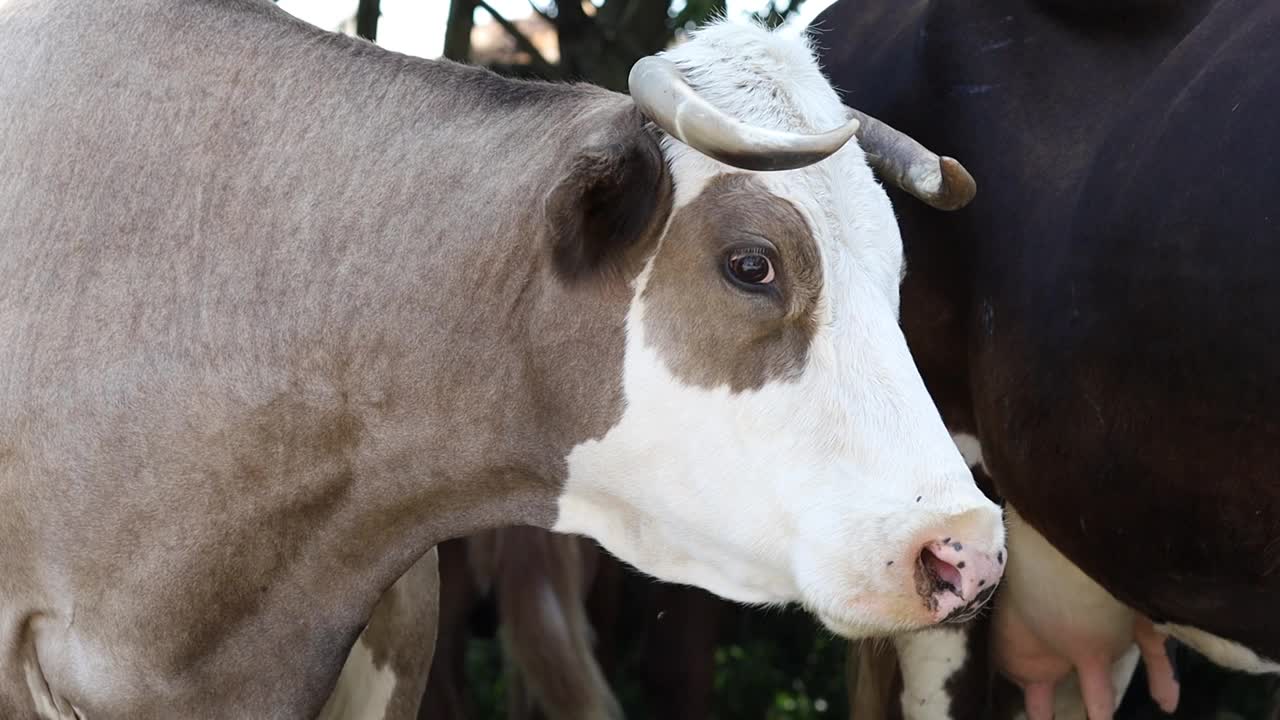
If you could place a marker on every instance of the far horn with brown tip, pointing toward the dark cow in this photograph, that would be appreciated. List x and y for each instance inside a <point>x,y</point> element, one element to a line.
<point>943,183</point>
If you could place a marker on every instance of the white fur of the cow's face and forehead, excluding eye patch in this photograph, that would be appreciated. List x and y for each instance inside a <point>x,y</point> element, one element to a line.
<point>804,490</point>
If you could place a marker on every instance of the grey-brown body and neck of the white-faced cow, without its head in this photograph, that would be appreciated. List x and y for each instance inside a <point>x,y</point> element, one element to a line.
<point>217,331</point>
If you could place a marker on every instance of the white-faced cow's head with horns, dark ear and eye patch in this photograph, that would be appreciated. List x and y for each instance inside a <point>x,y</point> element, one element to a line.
<point>776,441</point>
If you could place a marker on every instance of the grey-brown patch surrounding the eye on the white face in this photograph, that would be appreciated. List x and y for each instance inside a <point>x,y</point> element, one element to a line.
<point>712,330</point>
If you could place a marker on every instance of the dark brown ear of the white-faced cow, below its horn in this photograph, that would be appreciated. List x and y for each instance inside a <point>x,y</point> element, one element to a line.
<point>611,203</point>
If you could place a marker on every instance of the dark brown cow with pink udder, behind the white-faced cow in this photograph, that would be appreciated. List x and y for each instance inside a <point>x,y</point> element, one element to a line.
<point>1100,326</point>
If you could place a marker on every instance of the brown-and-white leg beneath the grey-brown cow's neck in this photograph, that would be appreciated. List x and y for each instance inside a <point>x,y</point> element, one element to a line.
<point>387,668</point>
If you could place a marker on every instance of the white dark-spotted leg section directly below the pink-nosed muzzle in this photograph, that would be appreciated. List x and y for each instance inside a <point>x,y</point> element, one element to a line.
<point>929,659</point>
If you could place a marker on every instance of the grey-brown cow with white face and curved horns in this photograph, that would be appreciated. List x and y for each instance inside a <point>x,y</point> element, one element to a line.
<point>281,311</point>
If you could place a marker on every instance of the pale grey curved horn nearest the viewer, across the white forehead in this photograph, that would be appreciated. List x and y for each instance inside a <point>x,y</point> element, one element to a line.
<point>664,95</point>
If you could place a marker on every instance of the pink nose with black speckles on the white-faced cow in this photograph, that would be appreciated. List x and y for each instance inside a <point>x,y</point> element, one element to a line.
<point>957,580</point>
